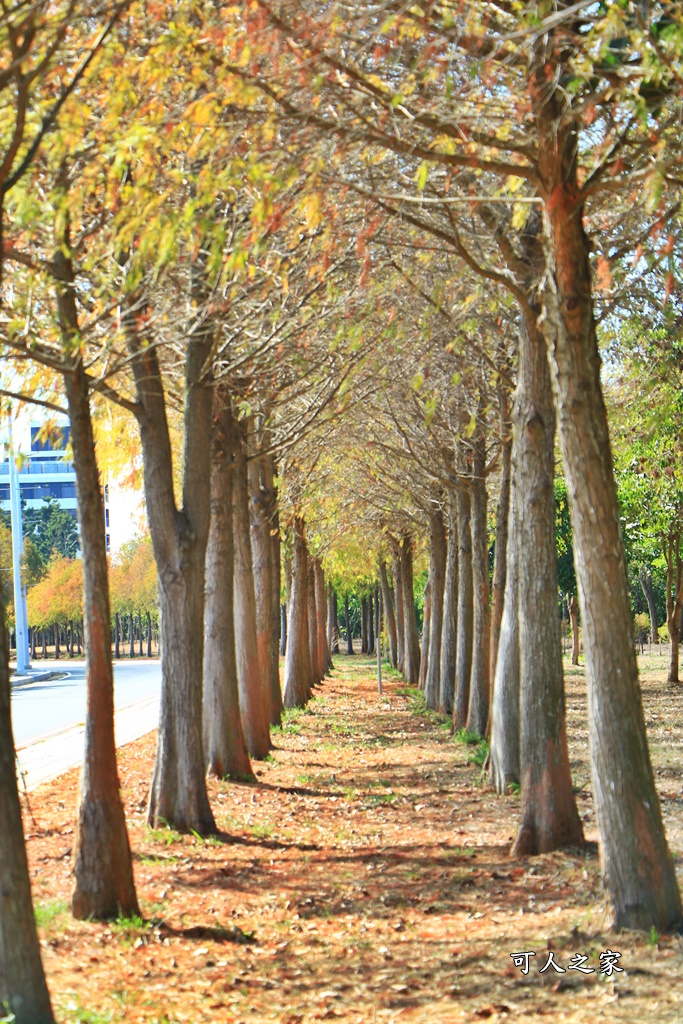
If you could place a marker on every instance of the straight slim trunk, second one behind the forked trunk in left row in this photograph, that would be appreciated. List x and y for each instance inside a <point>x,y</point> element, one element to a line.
<point>254,690</point>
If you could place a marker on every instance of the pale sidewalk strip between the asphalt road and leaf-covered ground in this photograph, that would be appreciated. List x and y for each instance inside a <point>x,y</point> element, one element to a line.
<point>55,754</point>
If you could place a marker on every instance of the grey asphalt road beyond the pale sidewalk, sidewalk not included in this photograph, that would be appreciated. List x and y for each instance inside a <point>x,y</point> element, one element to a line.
<point>39,709</point>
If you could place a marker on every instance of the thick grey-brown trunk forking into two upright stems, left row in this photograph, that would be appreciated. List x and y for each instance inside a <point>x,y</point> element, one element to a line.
<point>179,795</point>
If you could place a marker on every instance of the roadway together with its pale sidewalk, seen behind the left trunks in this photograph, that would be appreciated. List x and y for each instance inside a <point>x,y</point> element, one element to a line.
<point>49,716</point>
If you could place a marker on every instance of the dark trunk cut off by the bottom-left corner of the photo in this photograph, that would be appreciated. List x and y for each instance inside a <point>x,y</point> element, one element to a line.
<point>23,987</point>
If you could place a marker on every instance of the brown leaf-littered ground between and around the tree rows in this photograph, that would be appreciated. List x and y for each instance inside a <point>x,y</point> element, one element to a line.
<point>365,878</point>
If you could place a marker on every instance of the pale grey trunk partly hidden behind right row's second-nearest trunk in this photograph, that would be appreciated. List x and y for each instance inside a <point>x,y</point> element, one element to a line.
<point>504,759</point>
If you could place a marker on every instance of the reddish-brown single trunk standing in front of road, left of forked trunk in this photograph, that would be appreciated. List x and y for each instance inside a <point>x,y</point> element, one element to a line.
<point>104,884</point>
